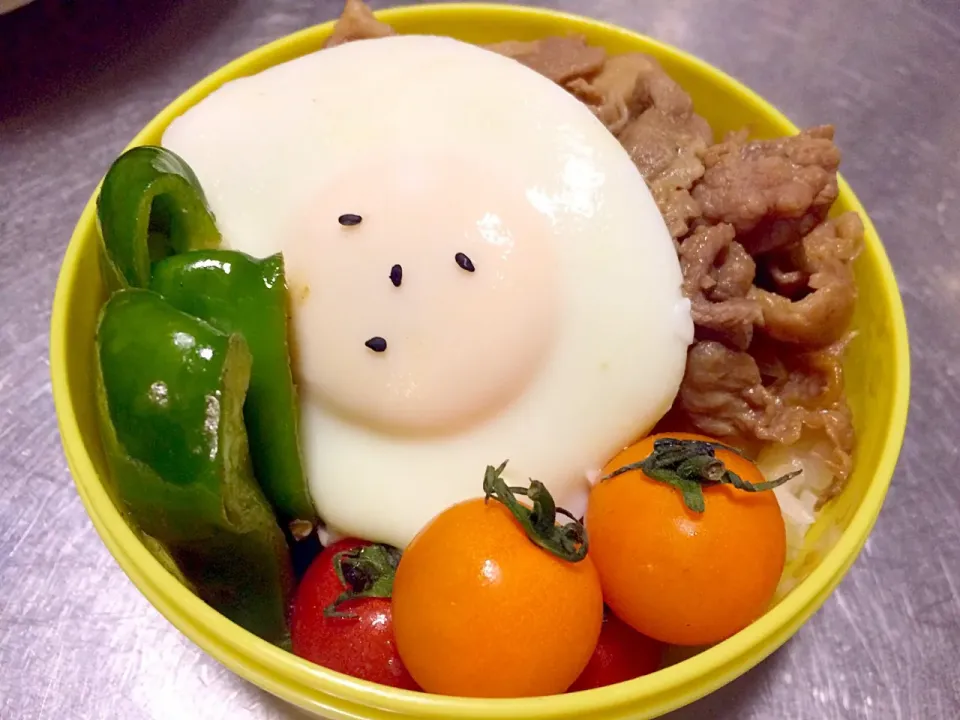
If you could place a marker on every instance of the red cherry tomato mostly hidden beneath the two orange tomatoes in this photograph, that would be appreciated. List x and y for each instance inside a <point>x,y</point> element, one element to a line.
<point>621,654</point>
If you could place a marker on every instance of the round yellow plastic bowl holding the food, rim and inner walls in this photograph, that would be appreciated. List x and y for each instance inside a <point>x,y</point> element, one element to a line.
<point>877,381</point>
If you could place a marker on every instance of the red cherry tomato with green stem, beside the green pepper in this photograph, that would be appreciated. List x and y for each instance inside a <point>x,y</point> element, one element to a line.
<point>359,639</point>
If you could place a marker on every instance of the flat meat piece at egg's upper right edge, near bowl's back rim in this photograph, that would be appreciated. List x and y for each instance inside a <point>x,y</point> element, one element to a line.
<point>559,58</point>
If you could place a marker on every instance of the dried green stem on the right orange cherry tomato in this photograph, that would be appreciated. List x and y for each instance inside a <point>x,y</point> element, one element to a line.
<point>688,465</point>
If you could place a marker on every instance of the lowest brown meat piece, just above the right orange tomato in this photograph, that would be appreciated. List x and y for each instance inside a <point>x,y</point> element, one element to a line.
<point>726,394</point>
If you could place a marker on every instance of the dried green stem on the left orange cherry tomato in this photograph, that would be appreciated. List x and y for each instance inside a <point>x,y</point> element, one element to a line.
<point>567,542</point>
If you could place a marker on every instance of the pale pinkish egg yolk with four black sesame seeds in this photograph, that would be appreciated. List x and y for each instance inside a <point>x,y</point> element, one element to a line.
<point>424,291</point>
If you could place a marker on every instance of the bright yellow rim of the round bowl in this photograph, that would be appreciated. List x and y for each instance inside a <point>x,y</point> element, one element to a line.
<point>320,689</point>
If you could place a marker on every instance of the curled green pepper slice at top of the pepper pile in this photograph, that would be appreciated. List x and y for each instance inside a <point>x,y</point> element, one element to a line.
<point>150,206</point>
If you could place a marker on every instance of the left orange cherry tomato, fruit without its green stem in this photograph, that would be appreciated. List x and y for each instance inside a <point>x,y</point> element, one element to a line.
<point>479,610</point>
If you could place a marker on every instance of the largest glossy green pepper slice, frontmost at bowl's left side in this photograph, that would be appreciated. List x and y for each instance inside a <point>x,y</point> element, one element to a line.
<point>170,392</point>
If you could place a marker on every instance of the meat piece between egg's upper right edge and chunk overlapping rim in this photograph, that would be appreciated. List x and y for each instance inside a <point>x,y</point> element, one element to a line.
<point>666,149</point>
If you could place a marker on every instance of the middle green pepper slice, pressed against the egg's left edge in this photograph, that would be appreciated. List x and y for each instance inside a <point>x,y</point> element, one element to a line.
<point>239,294</point>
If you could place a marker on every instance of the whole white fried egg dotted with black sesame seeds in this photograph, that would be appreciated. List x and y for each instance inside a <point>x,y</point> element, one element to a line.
<point>477,272</point>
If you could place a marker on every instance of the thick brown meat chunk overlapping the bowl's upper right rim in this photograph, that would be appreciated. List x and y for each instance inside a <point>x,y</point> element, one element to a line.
<point>772,191</point>
